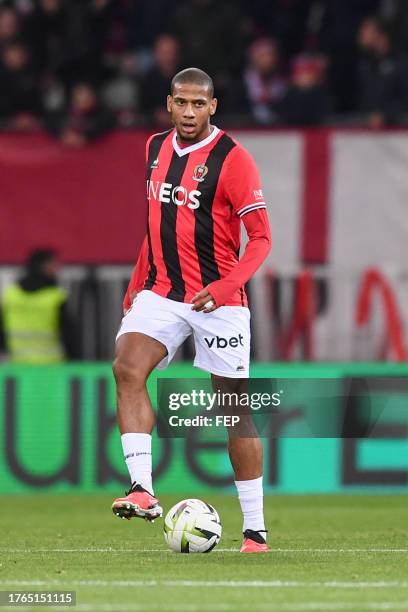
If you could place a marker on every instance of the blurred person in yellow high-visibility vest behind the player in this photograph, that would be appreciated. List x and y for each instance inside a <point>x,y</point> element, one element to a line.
<point>35,323</point>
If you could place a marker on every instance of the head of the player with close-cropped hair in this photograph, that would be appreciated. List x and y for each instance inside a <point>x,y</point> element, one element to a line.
<point>191,103</point>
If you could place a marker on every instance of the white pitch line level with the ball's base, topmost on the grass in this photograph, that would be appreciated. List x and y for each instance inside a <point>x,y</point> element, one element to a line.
<point>163,550</point>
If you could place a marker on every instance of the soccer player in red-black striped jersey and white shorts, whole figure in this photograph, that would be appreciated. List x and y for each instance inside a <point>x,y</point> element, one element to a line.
<point>189,280</point>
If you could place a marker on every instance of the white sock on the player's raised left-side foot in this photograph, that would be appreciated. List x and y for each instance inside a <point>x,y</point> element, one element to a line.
<point>137,449</point>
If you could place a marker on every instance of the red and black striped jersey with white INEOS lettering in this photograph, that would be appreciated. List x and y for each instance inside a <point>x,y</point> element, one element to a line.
<point>197,196</point>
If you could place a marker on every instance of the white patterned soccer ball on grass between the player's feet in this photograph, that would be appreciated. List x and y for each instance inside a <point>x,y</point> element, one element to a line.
<point>192,526</point>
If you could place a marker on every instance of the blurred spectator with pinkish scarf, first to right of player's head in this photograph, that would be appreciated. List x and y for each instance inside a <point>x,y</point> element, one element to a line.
<point>264,83</point>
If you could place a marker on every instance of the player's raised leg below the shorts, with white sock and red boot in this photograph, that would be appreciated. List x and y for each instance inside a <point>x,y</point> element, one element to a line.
<point>136,356</point>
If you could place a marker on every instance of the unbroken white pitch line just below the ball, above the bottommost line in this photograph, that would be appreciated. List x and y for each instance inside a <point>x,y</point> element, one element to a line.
<point>271,584</point>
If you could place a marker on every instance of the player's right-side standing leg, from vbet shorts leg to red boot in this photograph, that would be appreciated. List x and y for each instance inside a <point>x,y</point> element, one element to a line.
<point>222,341</point>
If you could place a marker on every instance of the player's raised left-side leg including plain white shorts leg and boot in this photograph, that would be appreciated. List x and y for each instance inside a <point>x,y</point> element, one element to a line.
<point>149,335</point>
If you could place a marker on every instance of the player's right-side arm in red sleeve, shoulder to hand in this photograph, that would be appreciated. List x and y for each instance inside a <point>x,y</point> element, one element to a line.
<point>242,188</point>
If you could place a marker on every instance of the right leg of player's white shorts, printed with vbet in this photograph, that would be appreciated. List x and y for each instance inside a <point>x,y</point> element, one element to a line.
<point>222,341</point>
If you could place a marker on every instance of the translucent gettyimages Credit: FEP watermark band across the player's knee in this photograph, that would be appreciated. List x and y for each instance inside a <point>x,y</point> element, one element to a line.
<point>341,407</point>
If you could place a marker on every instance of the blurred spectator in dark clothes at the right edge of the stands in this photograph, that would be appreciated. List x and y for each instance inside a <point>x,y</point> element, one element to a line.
<point>382,76</point>
